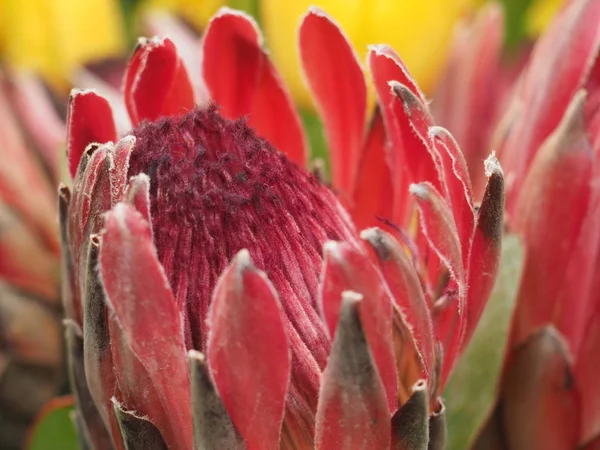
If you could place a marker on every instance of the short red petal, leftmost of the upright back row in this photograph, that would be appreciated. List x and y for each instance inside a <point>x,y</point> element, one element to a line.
<point>89,119</point>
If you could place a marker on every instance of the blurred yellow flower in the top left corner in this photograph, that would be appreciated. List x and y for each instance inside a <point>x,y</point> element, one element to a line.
<point>51,37</point>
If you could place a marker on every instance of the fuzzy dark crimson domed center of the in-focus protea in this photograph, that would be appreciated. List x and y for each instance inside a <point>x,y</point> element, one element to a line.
<point>217,188</point>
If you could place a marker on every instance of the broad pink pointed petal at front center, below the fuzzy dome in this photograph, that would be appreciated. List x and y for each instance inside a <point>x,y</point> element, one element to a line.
<point>248,353</point>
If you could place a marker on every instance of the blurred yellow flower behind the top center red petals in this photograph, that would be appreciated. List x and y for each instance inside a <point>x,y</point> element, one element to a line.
<point>420,31</point>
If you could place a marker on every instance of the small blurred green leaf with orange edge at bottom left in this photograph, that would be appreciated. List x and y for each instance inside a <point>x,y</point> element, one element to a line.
<point>55,429</point>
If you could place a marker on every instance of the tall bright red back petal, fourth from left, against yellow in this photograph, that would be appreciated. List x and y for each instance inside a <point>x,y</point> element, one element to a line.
<point>335,77</point>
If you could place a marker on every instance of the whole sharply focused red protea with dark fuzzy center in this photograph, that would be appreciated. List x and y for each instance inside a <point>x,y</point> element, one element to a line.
<point>200,232</point>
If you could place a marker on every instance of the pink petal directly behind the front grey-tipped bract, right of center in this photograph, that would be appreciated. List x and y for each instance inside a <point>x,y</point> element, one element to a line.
<point>348,269</point>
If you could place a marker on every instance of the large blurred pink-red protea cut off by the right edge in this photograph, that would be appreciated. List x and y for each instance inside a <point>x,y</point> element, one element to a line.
<point>549,396</point>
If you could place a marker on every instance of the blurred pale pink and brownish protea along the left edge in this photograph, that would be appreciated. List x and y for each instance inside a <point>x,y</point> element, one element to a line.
<point>31,350</point>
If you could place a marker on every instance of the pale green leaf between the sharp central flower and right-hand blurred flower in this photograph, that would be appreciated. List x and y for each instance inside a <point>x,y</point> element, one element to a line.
<point>471,392</point>
